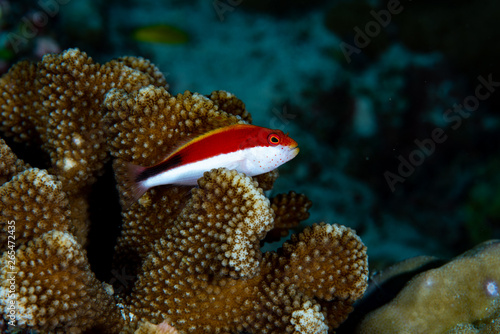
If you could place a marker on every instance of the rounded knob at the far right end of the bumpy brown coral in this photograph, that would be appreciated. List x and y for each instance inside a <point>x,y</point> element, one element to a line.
<point>324,247</point>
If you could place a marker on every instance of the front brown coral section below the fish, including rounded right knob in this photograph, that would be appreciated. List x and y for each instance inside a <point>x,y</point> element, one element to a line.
<point>187,280</point>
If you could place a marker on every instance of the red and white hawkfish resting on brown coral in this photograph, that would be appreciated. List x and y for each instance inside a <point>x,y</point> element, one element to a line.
<point>249,149</point>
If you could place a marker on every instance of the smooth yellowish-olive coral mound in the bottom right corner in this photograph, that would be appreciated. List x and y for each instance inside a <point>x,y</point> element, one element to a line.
<point>462,296</point>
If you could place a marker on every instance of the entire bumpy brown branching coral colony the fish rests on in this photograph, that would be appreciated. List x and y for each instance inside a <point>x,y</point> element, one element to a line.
<point>195,252</point>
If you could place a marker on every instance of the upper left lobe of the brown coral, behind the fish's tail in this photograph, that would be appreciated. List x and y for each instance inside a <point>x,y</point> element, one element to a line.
<point>58,102</point>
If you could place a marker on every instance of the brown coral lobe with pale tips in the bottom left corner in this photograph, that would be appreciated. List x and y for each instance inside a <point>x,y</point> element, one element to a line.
<point>54,289</point>
